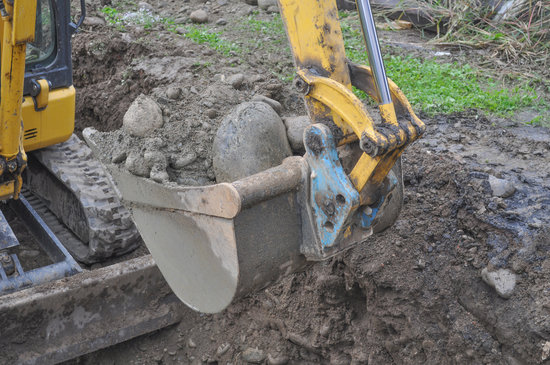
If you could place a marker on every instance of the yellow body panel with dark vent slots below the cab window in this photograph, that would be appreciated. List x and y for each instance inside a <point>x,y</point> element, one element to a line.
<point>52,125</point>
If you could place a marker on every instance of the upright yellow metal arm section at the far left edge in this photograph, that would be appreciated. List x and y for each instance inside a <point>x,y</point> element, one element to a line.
<point>18,23</point>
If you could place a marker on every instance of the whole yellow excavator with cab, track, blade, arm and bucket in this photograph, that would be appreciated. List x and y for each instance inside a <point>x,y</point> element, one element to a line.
<point>209,245</point>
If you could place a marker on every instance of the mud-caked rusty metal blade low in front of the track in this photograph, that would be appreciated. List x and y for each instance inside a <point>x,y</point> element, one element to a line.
<point>58,321</point>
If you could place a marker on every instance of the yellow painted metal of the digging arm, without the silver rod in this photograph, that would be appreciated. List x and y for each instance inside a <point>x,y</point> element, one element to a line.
<point>317,44</point>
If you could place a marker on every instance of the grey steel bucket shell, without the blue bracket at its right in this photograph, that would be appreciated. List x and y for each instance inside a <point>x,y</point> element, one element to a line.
<point>215,243</point>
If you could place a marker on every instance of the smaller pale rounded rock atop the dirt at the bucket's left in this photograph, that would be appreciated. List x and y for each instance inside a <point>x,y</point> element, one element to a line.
<point>142,117</point>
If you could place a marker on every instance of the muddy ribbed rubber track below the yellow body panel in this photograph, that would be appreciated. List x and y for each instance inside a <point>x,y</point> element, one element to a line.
<point>111,231</point>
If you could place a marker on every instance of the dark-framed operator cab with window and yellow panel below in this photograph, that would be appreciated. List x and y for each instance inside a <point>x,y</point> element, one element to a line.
<point>49,105</point>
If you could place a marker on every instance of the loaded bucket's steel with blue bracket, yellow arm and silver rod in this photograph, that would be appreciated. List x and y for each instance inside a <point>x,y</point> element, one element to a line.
<point>216,243</point>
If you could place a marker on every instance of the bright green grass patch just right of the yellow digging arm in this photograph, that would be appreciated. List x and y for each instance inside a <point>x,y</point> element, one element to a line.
<point>436,87</point>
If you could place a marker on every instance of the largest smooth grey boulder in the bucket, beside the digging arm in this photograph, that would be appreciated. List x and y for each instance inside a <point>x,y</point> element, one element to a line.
<point>250,139</point>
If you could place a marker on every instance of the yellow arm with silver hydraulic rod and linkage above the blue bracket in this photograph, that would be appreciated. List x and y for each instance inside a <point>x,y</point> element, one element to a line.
<point>325,77</point>
